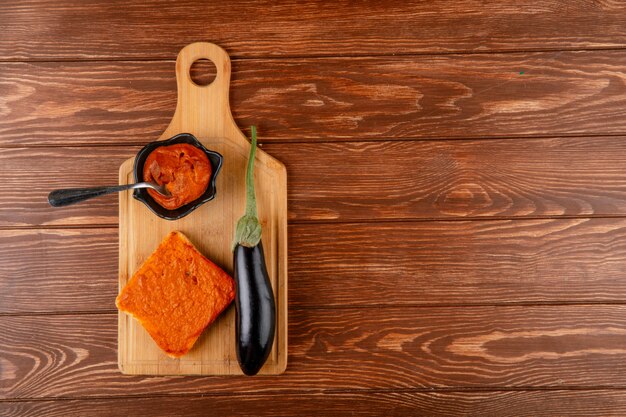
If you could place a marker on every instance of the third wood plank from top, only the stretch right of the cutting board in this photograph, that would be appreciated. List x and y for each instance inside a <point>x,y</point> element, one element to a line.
<point>444,179</point>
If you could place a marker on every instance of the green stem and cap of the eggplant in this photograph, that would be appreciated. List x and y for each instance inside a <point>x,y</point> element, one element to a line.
<point>248,231</point>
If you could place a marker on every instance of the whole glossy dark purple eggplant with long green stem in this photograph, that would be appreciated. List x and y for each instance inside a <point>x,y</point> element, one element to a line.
<point>255,309</point>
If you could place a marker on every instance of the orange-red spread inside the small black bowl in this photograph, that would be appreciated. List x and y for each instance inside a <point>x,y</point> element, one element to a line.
<point>184,169</point>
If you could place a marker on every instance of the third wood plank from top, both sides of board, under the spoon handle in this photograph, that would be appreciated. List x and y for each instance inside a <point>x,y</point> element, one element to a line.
<point>354,181</point>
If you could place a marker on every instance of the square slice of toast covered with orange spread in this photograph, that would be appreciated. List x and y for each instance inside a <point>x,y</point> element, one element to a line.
<point>176,294</point>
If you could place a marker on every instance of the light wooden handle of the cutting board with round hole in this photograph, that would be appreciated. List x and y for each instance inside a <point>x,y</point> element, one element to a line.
<point>203,110</point>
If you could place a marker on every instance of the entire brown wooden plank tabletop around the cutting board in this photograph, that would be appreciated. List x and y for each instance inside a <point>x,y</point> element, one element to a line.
<point>457,201</point>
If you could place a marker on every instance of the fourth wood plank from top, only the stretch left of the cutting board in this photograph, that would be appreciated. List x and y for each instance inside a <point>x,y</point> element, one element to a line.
<point>57,270</point>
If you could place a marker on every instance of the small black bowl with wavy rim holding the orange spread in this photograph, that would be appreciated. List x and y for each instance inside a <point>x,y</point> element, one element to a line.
<point>142,195</point>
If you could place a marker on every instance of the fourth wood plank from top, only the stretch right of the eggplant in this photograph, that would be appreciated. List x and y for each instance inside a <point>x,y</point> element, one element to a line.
<point>458,262</point>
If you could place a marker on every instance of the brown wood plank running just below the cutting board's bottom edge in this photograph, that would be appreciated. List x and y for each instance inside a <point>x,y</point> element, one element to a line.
<point>340,349</point>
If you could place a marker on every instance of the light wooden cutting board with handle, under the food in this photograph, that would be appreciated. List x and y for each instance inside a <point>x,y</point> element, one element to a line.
<point>204,112</point>
